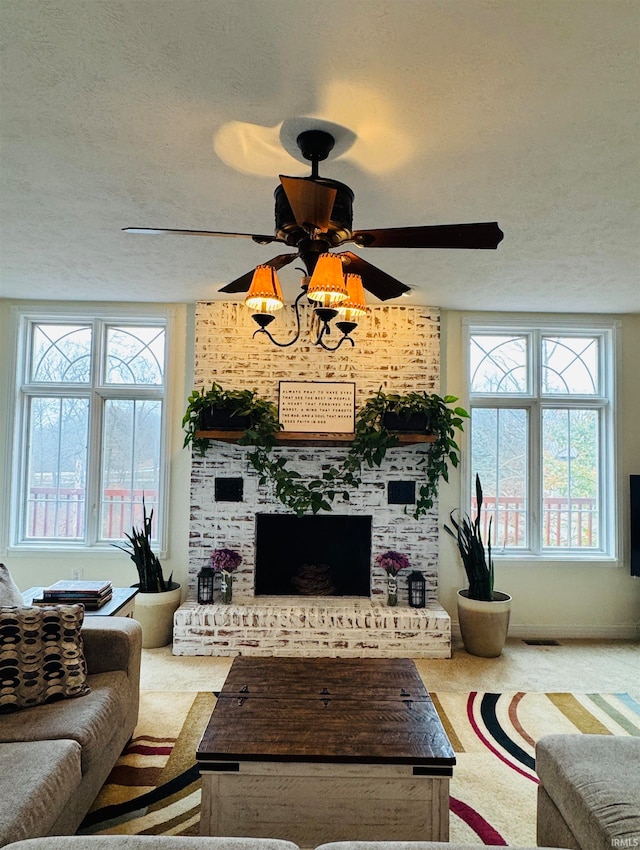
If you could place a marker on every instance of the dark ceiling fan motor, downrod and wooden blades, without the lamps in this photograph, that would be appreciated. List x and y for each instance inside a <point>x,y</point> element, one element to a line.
<point>314,215</point>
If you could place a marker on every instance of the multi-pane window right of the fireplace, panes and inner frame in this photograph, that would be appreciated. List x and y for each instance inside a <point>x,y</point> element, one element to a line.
<point>541,403</point>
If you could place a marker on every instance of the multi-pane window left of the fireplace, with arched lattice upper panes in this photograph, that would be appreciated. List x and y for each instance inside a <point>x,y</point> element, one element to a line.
<point>89,429</point>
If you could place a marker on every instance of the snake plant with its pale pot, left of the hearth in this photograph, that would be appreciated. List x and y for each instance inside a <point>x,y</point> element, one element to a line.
<point>157,599</point>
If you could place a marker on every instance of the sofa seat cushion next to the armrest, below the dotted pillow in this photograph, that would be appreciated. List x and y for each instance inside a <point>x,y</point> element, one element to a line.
<point>91,721</point>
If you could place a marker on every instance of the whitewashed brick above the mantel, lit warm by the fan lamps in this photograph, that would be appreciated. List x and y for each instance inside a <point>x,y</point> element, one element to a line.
<point>397,348</point>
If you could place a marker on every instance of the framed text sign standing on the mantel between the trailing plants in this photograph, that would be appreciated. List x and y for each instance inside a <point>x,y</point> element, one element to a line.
<point>324,407</point>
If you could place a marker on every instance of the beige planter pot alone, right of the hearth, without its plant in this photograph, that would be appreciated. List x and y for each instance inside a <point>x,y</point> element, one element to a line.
<point>484,625</point>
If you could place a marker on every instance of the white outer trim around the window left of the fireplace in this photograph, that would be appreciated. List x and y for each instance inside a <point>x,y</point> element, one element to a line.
<point>21,316</point>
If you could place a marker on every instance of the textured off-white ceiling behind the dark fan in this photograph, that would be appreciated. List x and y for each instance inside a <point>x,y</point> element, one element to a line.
<point>180,113</point>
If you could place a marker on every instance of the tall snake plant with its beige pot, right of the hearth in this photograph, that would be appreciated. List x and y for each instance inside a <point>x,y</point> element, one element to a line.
<point>483,612</point>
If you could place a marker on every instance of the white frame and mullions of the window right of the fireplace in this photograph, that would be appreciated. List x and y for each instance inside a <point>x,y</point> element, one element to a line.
<point>534,403</point>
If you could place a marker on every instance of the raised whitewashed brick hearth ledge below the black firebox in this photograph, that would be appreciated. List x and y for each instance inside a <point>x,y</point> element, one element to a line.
<point>326,626</point>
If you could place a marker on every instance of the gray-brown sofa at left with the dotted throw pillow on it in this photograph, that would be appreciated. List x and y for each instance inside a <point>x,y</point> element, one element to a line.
<point>54,758</point>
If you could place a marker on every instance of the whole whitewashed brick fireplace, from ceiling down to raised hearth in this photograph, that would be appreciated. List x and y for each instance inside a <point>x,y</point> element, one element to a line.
<point>397,348</point>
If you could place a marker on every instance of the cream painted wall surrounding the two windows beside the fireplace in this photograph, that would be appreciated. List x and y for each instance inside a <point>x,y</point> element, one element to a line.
<point>554,599</point>
